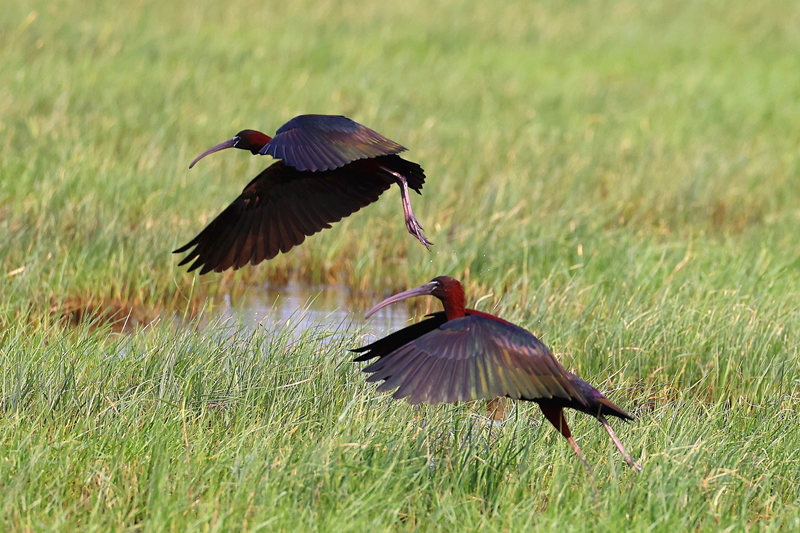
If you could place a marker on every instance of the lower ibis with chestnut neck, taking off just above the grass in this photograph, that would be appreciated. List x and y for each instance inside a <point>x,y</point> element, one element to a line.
<point>461,354</point>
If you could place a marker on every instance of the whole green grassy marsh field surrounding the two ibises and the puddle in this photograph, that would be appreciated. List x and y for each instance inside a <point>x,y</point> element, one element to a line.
<point>618,177</point>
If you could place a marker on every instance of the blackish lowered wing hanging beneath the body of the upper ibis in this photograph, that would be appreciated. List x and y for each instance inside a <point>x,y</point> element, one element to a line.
<point>276,211</point>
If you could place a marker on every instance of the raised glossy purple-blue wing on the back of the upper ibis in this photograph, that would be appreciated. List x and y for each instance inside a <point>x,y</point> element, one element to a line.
<point>325,142</point>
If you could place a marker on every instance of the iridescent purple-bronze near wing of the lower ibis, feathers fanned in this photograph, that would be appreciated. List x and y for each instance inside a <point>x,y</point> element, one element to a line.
<point>473,358</point>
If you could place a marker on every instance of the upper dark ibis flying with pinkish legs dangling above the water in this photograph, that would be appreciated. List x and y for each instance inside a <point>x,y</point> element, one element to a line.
<point>328,167</point>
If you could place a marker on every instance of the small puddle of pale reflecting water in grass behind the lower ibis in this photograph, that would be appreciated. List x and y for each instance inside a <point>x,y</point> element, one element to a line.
<point>326,307</point>
